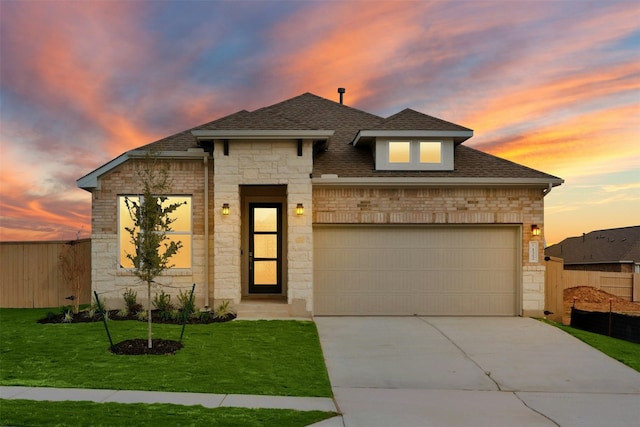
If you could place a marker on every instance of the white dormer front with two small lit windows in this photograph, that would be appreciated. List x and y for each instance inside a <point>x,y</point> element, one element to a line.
<point>414,154</point>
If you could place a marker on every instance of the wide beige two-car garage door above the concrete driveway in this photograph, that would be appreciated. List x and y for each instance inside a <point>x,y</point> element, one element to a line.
<point>391,270</point>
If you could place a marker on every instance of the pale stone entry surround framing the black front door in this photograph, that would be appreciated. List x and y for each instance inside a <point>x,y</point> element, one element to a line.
<point>263,162</point>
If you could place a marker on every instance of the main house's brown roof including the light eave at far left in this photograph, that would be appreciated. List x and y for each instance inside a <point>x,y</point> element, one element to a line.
<point>343,126</point>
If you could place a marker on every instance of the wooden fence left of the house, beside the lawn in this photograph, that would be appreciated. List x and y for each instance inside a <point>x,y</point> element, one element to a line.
<point>32,274</point>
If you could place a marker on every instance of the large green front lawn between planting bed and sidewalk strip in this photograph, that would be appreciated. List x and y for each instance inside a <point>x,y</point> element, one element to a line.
<point>275,357</point>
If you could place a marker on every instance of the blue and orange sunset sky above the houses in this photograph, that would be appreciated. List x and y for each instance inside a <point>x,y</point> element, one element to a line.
<point>553,85</point>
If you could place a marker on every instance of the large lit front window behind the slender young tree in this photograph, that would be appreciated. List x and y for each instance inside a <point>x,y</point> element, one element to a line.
<point>120,229</point>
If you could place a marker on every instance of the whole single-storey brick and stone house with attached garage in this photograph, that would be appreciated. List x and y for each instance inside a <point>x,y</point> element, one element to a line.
<point>337,212</point>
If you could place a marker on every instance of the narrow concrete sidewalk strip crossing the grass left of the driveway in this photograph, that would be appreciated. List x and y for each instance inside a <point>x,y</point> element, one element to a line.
<point>205,399</point>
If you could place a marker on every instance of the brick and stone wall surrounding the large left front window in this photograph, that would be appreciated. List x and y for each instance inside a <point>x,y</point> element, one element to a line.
<point>107,278</point>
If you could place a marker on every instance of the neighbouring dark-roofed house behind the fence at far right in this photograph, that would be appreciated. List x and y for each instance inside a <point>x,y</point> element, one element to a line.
<point>612,250</point>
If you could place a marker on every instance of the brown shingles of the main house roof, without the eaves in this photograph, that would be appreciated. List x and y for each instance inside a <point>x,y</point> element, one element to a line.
<point>311,112</point>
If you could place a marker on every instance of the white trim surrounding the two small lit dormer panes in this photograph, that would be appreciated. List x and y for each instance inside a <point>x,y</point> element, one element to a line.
<point>382,155</point>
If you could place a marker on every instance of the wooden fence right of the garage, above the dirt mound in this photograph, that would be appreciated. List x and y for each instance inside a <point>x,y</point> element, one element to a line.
<point>557,279</point>
